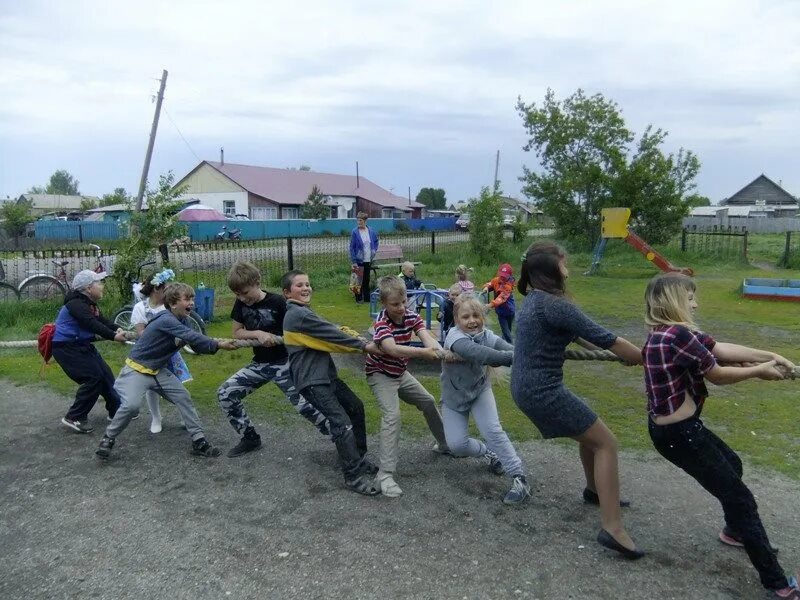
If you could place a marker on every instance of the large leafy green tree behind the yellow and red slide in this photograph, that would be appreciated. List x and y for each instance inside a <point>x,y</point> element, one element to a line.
<point>582,144</point>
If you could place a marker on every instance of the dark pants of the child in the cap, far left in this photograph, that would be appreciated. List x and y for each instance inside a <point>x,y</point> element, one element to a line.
<point>83,364</point>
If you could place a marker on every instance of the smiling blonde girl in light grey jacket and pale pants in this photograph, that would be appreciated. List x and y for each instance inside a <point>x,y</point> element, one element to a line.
<point>467,390</point>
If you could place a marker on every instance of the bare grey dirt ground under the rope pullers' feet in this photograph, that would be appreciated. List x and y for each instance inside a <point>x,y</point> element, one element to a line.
<point>155,522</point>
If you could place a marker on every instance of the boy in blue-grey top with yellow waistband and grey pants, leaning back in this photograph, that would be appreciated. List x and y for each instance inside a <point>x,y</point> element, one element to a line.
<point>145,370</point>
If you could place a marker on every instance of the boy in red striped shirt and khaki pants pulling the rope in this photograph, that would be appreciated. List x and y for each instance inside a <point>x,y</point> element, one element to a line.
<point>391,382</point>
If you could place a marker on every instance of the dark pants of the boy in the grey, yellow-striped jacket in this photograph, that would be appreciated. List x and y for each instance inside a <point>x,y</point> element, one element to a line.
<point>345,414</point>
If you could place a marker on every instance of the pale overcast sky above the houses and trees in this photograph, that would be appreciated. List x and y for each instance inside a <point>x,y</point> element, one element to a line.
<point>419,93</point>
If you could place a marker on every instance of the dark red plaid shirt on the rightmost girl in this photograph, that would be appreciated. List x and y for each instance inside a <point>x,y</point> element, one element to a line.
<point>675,360</point>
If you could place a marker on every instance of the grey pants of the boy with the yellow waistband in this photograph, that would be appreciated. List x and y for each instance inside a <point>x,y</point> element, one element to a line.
<point>131,386</point>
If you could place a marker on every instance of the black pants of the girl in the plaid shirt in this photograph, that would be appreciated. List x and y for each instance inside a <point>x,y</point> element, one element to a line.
<point>696,450</point>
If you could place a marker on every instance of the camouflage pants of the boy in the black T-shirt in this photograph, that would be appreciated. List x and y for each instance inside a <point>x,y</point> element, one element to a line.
<point>247,380</point>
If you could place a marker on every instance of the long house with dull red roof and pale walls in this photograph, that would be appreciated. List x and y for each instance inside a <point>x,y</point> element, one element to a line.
<point>263,193</point>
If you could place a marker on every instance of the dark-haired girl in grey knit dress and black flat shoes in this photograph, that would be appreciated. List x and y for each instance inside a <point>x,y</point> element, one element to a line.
<point>547,323</point>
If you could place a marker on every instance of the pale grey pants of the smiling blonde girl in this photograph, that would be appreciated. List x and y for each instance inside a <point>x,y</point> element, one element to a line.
<point>484,410</point>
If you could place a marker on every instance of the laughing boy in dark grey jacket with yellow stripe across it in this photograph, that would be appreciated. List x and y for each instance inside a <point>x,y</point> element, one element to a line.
<point>309,340</point>
